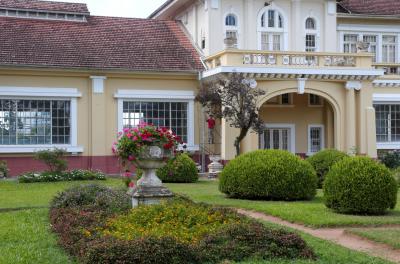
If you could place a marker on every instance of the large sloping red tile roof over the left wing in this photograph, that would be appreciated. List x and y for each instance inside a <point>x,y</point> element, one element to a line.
<point>101,43</point>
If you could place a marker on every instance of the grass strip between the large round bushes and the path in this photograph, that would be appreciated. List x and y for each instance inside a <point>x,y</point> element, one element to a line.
<point>312,213</point>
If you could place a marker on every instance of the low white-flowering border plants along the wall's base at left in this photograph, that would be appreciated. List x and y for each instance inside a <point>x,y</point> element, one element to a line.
<point>74,175</point>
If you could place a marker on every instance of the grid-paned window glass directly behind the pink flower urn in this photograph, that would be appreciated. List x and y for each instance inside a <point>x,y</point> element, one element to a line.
<point>173,115</point>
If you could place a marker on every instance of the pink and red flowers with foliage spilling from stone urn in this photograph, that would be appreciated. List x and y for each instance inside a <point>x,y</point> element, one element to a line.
<point>132,143</point>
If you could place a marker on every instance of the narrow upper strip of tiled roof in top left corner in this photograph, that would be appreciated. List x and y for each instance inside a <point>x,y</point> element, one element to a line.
<point>45,6</point>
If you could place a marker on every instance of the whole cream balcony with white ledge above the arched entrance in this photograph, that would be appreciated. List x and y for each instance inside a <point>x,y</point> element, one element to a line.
<point>293,65</point>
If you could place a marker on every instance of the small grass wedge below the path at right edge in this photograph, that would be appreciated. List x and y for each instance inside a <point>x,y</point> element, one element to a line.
<point>389,236</point>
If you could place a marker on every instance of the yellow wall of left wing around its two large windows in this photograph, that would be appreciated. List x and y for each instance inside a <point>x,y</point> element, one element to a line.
<point>97,113</point>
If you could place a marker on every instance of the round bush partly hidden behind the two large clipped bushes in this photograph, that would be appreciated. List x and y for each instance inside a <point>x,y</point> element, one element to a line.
<point>323,161</point>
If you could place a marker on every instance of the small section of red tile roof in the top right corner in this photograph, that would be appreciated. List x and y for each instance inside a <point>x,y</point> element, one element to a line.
<point>371,7</point>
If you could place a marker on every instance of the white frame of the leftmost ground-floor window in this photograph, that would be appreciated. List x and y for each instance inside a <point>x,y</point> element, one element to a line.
<point>40,93</point>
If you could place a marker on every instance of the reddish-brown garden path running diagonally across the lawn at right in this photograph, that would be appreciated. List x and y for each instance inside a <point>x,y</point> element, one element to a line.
<point>336,235</point>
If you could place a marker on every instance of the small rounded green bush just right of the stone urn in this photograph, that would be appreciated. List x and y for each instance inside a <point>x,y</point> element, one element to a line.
<point>181,169</point>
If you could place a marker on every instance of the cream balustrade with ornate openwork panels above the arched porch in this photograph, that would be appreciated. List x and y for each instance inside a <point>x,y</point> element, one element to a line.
<point>288,59</point>
